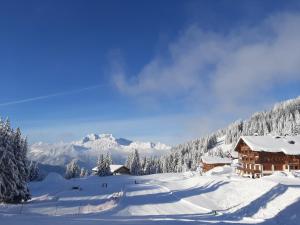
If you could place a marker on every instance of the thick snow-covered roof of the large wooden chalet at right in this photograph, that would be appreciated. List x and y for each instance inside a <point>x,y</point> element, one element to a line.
<point>290,145</point>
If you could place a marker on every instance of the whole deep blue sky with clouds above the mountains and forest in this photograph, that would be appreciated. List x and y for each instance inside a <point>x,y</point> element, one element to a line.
<point>164,71</point>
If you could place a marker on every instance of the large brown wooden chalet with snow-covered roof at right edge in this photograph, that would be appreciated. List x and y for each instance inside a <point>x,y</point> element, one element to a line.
<point>262,155</point>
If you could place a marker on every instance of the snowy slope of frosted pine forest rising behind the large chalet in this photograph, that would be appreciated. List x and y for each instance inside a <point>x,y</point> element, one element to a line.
<point>282,119</point>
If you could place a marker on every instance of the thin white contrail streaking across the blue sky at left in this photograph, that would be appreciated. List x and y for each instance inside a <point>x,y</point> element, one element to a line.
<point>49,96</point>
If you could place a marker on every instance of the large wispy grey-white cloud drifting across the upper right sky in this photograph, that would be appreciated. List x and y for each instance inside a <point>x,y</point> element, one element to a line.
<point>225,68</point>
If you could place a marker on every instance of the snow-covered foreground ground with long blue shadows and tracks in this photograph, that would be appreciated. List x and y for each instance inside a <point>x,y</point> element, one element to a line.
<point>217,197</point>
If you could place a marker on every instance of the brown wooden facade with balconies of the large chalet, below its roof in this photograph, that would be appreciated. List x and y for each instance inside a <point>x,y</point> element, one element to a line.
<point>256,163</point>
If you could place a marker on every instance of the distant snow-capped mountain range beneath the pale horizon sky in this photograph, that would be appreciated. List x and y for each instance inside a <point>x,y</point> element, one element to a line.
<point>87,150</point>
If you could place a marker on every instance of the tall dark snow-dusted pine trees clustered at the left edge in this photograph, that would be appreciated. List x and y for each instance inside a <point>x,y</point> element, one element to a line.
<point>13,167</point>
